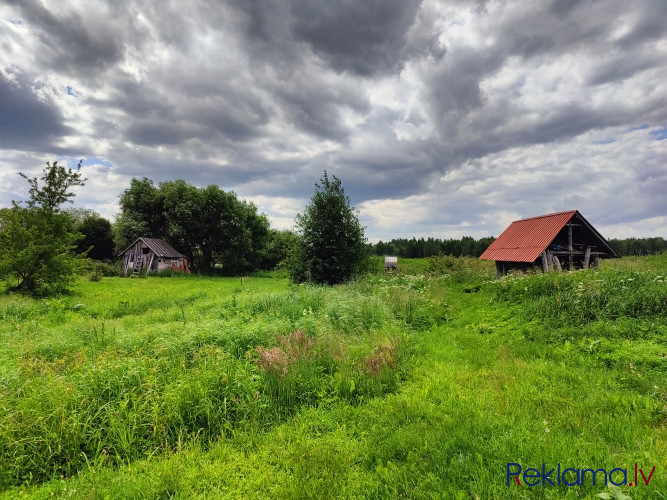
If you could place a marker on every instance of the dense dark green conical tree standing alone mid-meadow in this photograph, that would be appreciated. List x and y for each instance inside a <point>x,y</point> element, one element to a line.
<point>332,248</point>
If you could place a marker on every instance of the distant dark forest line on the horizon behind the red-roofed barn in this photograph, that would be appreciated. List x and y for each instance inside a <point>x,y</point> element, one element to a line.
<point>470,247</point>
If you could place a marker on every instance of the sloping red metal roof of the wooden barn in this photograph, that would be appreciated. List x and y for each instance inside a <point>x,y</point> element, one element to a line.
<point>524,240</point>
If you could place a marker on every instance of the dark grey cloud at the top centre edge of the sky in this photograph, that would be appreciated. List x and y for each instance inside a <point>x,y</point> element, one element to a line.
<point>367,39</point>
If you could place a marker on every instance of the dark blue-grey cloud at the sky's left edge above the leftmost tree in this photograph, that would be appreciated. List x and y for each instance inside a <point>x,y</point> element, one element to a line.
<point>26,121</point>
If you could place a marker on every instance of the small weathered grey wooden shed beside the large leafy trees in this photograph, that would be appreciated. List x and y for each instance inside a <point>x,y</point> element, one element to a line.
<point>153,255</point>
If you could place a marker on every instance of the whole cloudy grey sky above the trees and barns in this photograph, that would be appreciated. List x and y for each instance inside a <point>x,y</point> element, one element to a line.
<point>441,118</point>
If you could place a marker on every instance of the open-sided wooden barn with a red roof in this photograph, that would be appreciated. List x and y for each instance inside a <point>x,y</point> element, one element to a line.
<point>562,240</point>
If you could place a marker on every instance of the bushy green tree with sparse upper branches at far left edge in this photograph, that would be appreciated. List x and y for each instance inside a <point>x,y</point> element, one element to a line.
<point>37,242</point>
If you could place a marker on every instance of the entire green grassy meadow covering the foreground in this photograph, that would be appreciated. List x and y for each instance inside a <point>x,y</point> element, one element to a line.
<point>424,384</point>
